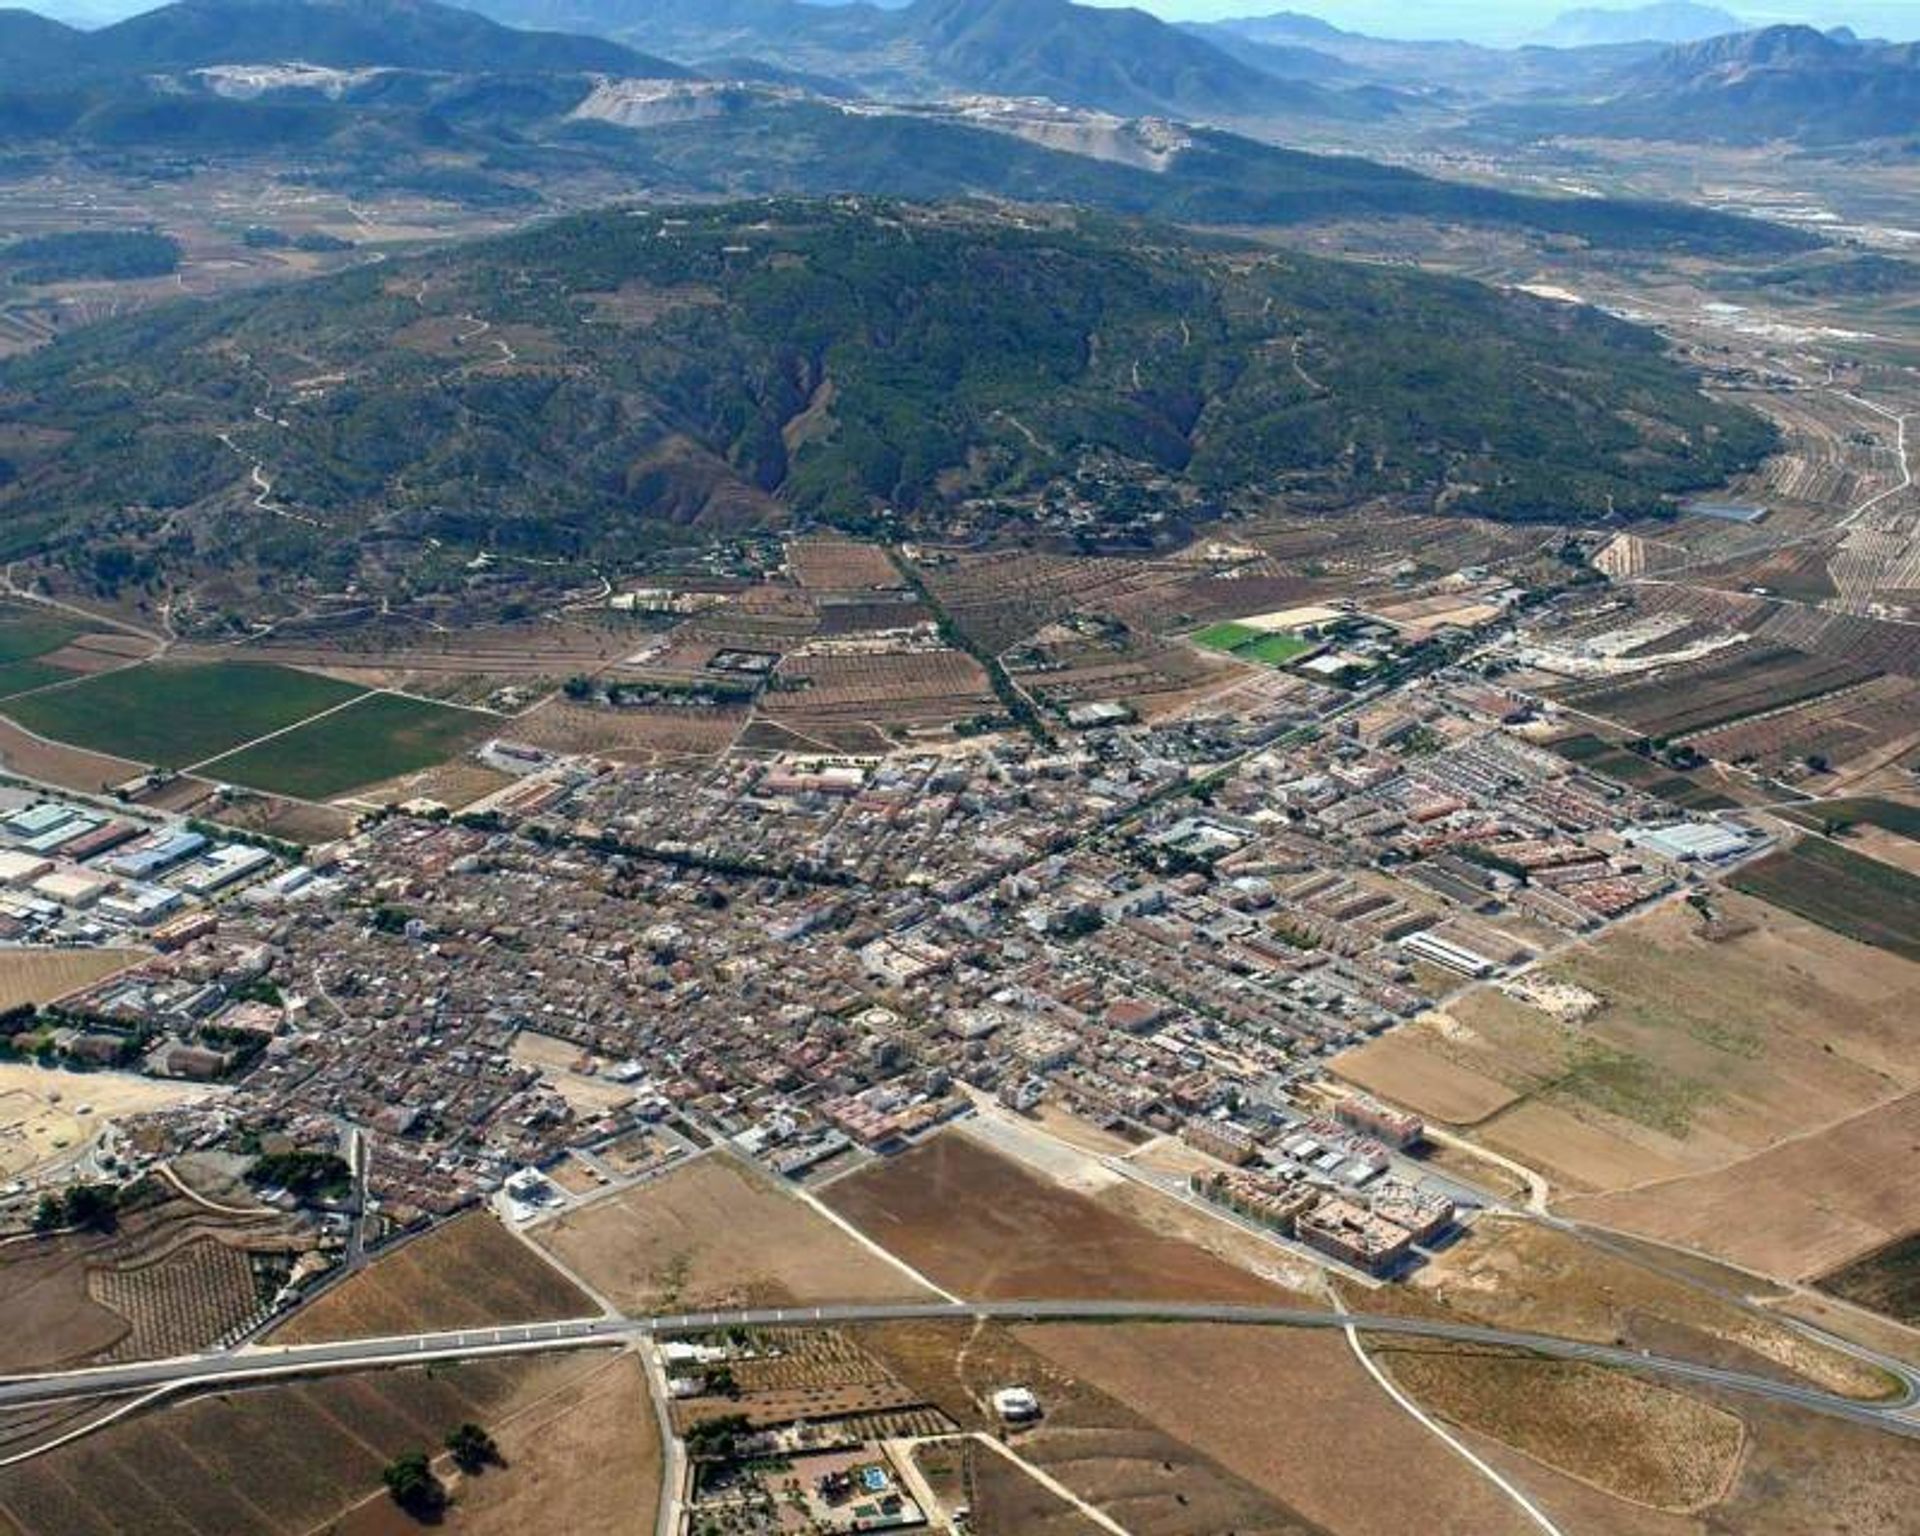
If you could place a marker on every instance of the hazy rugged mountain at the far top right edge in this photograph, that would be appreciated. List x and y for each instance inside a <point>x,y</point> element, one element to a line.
<point>1779,84</point>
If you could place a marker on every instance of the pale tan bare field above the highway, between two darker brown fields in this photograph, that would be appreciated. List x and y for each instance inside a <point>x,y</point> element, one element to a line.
<point>715,1234</point>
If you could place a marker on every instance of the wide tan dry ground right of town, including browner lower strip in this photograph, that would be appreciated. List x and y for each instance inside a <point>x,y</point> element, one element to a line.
<point>1714,1045</point>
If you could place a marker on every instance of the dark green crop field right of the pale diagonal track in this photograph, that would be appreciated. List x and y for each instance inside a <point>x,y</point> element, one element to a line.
<point>379,738</point>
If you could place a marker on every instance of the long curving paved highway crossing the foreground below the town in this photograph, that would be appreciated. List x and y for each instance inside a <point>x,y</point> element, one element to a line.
<point>268,1362</point>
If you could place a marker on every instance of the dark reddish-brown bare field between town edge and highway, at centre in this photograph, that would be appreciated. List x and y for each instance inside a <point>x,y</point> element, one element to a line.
<point>984,1226</point>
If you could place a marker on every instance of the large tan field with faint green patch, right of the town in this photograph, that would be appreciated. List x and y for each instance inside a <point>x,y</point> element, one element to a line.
<point>1675,1047</point>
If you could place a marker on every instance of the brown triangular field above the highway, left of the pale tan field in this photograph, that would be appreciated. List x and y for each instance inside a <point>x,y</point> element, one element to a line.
<point>466,1274</point>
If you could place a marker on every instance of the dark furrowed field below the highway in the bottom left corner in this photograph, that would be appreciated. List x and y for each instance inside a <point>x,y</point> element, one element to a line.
<point>293,1460</point>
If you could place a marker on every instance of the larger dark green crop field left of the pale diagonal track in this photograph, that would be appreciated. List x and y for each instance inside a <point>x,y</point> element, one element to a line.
<point>180,715</point>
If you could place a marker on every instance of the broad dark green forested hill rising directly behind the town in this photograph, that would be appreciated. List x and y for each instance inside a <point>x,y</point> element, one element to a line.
<point>602,381</point>
